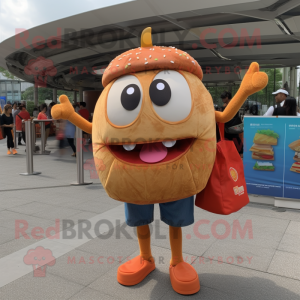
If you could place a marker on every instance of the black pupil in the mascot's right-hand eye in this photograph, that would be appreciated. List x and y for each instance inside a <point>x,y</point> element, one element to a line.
<point>160,92</point>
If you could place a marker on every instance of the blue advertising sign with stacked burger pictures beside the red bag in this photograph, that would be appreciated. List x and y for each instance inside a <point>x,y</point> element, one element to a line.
<point>272,156</point>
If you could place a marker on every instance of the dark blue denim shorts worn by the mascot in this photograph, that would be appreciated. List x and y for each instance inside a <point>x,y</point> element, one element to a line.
<point>177,213</point>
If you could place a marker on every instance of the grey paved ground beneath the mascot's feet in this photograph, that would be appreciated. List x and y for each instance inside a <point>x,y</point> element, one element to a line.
<point>264,264</point>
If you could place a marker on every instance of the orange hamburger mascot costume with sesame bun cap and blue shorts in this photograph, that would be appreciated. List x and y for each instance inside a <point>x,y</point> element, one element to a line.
<point>154,113</point>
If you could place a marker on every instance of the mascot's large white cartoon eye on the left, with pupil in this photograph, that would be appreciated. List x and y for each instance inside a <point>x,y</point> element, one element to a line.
<point>124,100</point>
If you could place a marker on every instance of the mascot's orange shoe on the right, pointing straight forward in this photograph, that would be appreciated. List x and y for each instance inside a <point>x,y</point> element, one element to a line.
<point>184,279</point>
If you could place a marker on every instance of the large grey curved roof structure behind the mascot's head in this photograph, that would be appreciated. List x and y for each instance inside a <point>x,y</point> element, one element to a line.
<point>223,36</point>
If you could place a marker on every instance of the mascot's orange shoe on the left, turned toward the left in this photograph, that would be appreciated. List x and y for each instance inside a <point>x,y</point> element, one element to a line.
<point>134,271</point>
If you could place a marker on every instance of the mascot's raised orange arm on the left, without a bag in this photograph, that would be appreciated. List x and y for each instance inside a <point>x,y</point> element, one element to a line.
<point>65,111</point>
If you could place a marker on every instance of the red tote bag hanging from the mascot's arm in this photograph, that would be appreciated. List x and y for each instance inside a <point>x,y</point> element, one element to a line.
<point>226,190</point>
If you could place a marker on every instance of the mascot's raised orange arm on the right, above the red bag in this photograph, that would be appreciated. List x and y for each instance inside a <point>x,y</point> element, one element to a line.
<point>253,82</point>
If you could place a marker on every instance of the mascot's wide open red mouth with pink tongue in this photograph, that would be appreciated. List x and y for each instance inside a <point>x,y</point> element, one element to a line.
<point>151,153</point>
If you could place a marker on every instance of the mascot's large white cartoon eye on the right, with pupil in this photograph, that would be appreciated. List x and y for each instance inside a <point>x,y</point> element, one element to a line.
<point>171,96</point>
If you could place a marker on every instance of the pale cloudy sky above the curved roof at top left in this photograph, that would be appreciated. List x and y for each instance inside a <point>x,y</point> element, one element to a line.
<point>30,13</point>
